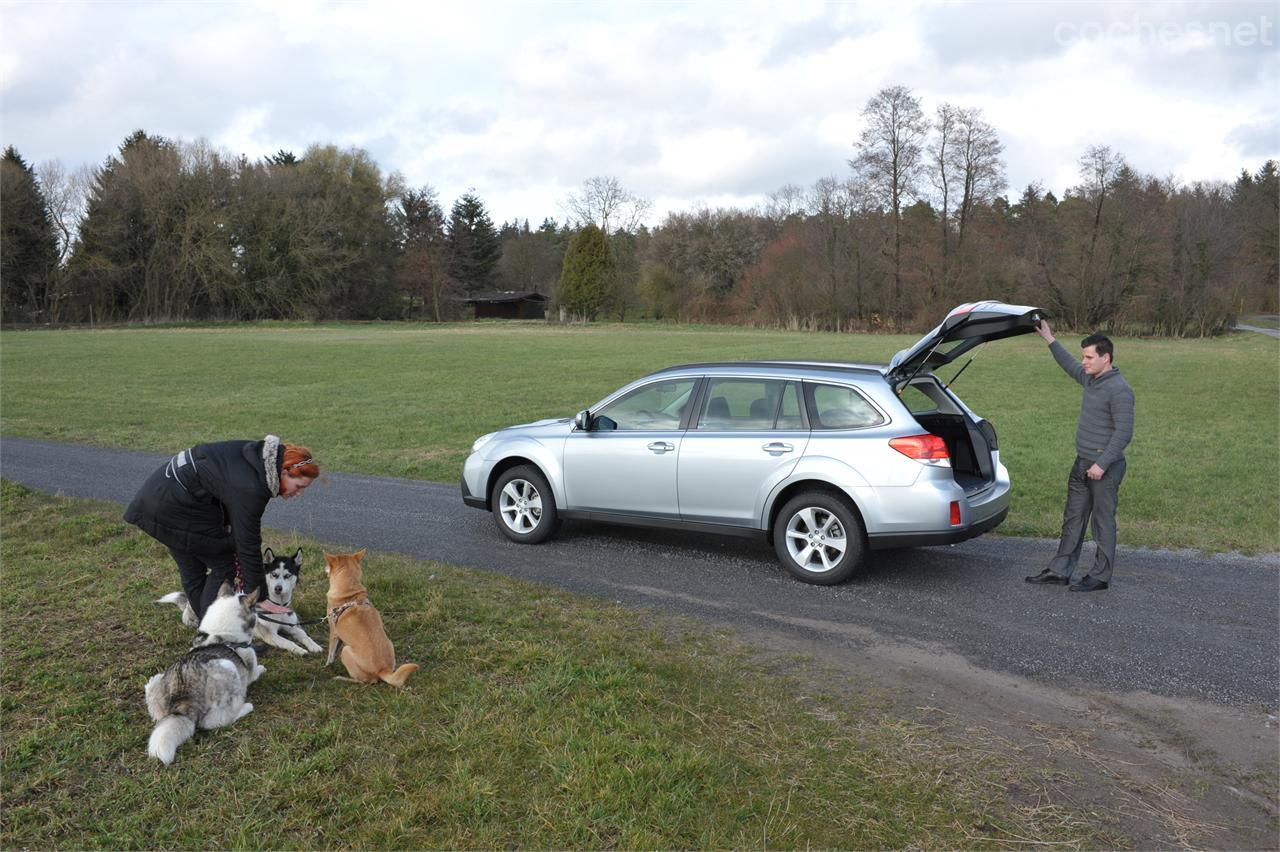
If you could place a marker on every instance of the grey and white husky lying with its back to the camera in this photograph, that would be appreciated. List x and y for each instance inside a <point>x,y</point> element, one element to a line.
<point>207,688</point>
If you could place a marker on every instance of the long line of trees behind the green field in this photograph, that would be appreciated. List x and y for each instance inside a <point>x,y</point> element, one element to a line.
<point>922,219</point>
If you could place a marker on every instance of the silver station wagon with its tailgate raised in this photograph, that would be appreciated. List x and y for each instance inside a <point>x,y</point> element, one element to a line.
<point>826,460</point>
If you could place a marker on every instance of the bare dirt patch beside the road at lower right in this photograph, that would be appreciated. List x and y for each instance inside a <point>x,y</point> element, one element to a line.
<point>1158,772</point>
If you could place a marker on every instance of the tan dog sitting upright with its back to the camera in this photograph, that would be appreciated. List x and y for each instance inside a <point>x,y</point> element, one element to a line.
<point>358,629</point>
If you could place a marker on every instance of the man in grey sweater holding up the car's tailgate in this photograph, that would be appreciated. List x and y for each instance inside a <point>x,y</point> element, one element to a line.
<point>1094,487</point>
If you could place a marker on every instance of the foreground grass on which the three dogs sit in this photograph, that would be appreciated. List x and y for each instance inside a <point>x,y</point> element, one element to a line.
<point>538,721</point>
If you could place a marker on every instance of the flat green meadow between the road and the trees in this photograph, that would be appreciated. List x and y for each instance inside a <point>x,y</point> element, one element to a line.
<point>409,400</point>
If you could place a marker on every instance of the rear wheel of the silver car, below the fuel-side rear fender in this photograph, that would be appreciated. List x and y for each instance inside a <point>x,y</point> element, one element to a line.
<point>819,539</point>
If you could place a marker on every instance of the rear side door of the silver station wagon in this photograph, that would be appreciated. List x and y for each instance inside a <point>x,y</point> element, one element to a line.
<point>748,437</point>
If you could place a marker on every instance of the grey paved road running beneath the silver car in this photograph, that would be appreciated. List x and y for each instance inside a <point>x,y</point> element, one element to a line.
<point>1174,624</point>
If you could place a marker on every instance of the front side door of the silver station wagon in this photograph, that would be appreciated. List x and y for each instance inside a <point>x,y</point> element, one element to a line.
<point>627,462</point>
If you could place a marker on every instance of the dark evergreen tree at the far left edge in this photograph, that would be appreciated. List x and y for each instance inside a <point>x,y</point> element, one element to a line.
<point>29,248</point>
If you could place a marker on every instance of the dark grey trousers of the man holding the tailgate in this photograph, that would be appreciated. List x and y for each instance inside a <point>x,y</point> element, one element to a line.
<point>1086,500</point>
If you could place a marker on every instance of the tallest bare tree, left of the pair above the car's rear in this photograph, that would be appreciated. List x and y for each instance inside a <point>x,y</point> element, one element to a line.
<point>890,155</point>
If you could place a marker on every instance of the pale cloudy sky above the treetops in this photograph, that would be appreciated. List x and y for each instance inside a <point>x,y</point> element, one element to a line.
<point>687,104</point>
